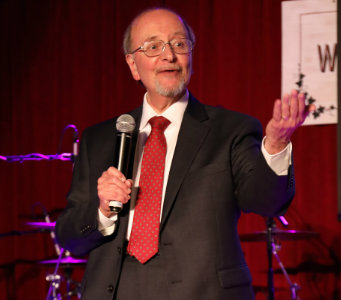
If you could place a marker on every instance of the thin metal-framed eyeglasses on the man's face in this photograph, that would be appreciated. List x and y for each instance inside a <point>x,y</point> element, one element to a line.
<point>155,48</point>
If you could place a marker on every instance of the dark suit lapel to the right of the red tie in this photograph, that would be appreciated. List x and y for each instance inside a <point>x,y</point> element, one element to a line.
<point>191,136</point>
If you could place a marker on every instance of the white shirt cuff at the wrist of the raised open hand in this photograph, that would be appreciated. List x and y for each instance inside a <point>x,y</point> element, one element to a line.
<point>279,162</point>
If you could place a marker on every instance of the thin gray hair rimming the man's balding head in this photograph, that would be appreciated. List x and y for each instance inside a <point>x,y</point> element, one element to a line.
<point>127,34</point>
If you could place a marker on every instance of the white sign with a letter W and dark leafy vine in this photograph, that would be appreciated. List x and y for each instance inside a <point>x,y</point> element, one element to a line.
<point>309,57</point>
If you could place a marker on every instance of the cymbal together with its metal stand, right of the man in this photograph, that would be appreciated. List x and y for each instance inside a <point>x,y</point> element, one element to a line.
<point>271,236</point>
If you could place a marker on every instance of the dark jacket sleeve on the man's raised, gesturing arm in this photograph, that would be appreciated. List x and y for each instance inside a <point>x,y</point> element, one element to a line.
<point>257,187</point>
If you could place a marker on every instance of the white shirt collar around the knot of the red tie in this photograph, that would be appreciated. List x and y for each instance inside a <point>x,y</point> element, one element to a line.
<point>174,113</point>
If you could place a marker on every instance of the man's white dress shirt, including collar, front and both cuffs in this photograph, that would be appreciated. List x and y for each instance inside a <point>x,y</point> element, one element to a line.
<point>279,162</point>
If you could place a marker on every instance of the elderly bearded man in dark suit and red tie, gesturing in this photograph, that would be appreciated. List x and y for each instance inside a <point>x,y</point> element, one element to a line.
<point>196,167</point>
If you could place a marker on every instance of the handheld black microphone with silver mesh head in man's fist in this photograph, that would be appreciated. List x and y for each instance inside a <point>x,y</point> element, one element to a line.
<point>125,126</point>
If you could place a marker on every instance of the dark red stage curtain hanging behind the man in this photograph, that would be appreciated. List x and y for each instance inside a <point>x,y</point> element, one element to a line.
<point>61,63</point>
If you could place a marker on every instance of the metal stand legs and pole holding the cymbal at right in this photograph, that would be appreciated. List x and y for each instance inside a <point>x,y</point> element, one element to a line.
<point>272,248</point>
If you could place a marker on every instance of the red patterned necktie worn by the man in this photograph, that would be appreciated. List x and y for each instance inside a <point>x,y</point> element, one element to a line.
<point>144,237</point>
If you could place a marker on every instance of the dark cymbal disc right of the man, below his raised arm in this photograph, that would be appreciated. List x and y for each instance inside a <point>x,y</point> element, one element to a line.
<point>279,234</point>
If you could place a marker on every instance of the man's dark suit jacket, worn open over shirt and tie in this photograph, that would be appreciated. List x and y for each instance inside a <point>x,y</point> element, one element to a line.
<point>217,171</point>
